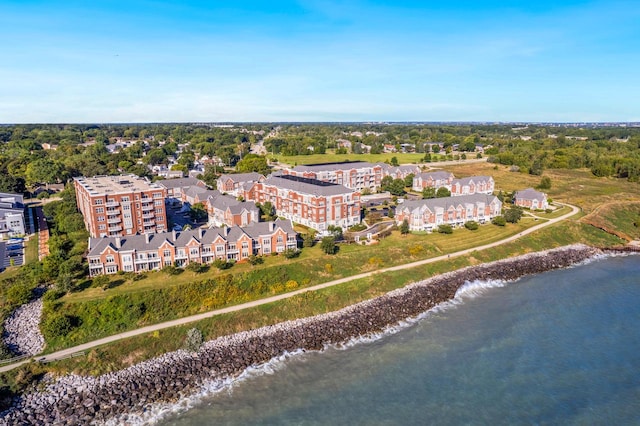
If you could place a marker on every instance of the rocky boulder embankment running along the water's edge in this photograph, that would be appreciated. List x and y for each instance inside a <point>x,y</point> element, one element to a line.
<point>82,400</point>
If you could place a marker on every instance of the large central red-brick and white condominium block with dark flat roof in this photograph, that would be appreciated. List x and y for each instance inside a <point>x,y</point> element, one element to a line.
<point>310,202</point>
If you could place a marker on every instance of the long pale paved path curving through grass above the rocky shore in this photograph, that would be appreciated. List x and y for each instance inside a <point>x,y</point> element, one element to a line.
<point>67,352</point>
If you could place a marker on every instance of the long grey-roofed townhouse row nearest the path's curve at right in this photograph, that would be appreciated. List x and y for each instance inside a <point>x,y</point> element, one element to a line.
<point>427,215</point>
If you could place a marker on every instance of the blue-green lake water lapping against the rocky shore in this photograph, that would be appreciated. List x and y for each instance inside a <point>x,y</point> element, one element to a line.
<point>560,347</point>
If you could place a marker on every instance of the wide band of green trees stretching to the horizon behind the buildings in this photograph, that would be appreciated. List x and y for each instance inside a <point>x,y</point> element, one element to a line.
<point>81,150</point>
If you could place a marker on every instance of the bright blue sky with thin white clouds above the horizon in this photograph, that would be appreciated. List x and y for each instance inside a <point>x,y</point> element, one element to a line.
<point>318,60</point>
